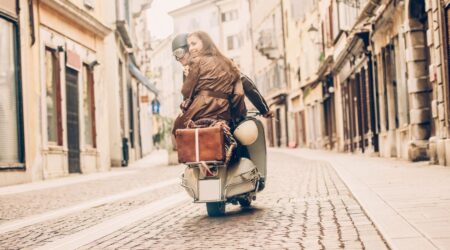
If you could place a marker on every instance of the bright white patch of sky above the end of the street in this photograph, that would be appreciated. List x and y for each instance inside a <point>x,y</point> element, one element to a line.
<point>160,22</point>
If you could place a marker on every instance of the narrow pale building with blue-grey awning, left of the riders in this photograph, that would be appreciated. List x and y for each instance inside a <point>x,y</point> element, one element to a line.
<point>130,118</point>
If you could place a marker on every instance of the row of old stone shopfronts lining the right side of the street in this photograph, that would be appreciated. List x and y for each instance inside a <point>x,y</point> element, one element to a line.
<point>383,78</point>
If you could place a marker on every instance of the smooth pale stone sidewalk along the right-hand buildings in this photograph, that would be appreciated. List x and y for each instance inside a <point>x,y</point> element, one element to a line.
<point>408,202</point>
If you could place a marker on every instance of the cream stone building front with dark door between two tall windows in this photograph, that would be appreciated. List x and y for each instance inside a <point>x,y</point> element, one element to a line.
<point>74,128</point>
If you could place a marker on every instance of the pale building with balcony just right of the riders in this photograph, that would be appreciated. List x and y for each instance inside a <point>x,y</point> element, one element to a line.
<point>269,64</point>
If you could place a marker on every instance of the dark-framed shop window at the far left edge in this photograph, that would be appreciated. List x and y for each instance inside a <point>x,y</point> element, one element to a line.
<point>12,149</point>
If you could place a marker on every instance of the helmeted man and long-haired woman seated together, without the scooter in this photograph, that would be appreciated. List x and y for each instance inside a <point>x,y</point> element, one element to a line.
<point>213,86</point>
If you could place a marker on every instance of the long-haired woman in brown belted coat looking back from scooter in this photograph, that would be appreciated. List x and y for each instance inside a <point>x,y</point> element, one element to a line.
<point>210,81</point>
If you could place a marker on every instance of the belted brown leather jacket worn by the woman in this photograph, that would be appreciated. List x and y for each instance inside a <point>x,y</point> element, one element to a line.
<point>210,85</point>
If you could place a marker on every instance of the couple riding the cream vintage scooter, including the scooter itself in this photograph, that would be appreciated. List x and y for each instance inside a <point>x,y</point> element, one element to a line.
<point>213,95</point>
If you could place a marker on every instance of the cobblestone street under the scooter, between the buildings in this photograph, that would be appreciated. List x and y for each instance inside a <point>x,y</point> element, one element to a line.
<point>304,206</point>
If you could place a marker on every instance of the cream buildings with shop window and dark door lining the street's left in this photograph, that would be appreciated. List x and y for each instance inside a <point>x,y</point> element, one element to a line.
<point>56,92</point>
